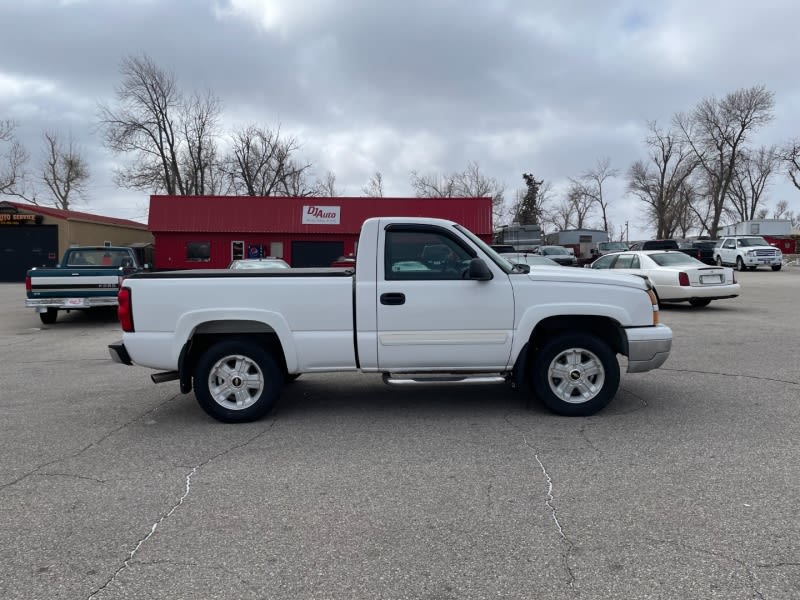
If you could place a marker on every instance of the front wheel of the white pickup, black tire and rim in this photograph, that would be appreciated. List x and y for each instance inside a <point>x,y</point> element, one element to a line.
<point>593,372</point>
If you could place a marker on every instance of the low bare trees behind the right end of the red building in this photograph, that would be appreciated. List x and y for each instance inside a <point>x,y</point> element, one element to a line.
<point>470,183</point>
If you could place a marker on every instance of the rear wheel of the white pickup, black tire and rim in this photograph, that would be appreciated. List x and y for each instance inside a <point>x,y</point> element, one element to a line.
<point>237,381</point>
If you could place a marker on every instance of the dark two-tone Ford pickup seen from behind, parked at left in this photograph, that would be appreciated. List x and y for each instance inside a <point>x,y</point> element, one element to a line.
<point>87,277</point>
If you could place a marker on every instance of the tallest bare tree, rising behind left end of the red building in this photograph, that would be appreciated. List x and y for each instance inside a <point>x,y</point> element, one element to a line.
<point>172,139</point>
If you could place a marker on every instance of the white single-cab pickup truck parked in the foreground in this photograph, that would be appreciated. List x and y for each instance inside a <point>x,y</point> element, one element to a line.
<point>427,302</point>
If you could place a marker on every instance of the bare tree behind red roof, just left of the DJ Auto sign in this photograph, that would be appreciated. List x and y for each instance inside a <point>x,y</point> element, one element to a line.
<point>260,163</point>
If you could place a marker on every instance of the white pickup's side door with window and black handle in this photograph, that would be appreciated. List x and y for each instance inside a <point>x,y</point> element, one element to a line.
<point>428,315</point>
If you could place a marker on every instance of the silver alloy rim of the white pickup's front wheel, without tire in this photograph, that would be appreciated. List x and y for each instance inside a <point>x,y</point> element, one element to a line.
<point>576,375</point>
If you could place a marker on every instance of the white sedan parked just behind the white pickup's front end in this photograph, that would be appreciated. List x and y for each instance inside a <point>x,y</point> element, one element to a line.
<point>675,276</point>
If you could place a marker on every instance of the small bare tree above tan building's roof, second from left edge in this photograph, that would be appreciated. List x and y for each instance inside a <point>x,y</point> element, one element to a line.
<point>64,170</point>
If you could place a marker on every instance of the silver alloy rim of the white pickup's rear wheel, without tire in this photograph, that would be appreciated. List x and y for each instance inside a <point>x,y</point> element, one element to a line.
<point>235,382</point>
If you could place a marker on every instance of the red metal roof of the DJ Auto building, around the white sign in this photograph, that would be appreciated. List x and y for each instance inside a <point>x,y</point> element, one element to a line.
<point>245,214</point>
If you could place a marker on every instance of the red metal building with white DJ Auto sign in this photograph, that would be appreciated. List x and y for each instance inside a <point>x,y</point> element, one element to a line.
<point>207,232</point>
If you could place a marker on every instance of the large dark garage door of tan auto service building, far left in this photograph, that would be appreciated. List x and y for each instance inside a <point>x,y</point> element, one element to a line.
<point>26,246</point>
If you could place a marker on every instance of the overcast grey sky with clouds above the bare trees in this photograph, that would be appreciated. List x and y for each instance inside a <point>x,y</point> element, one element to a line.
<point>409,85</point>
